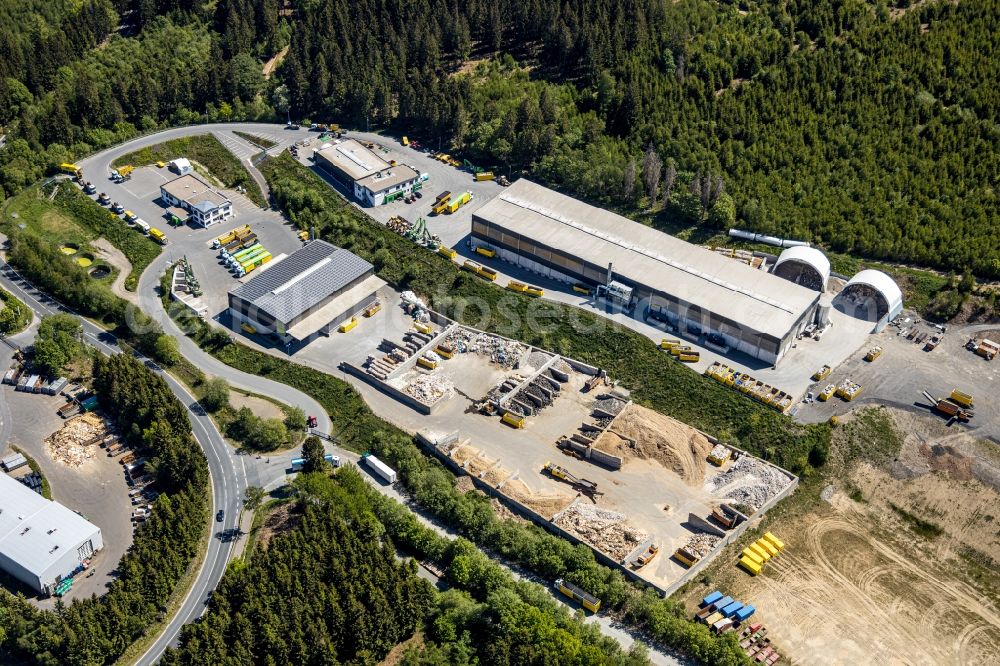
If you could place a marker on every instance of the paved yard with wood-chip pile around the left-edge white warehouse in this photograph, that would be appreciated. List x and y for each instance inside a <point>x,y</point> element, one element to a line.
<point>97,489</point>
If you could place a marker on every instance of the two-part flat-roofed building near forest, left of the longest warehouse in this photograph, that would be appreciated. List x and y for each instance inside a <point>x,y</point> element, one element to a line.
<point>373,180</point>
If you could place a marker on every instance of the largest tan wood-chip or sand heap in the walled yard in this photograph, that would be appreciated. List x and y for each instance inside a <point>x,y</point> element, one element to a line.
<point>642,433</point>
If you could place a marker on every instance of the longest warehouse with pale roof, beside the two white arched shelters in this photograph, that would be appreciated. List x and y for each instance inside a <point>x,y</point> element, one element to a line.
<point>699,291</point>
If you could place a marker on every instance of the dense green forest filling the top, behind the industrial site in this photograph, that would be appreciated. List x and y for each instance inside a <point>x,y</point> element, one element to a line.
<point>868,126</point>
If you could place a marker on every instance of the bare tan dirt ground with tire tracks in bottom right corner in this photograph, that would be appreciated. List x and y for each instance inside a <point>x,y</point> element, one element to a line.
<point>857,585</point>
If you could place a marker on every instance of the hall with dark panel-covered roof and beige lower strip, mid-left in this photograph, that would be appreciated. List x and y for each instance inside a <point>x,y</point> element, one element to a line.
<point>308,293</point>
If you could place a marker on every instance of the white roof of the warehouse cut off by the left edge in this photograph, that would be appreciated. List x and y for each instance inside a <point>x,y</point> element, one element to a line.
<point>34,531</point>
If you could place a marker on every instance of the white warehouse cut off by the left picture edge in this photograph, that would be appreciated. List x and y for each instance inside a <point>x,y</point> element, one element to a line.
<point>41,541</point>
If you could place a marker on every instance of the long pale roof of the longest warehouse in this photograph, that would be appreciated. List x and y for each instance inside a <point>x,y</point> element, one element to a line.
<point>731,289</point>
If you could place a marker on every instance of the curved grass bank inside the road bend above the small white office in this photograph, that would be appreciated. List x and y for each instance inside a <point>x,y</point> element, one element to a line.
<point>207,151</point>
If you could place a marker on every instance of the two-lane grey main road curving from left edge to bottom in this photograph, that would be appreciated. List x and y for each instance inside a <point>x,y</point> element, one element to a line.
<point>228,476</point>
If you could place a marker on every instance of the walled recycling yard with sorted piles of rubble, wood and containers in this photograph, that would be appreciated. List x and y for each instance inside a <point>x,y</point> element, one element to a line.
<point>556,439</point>
